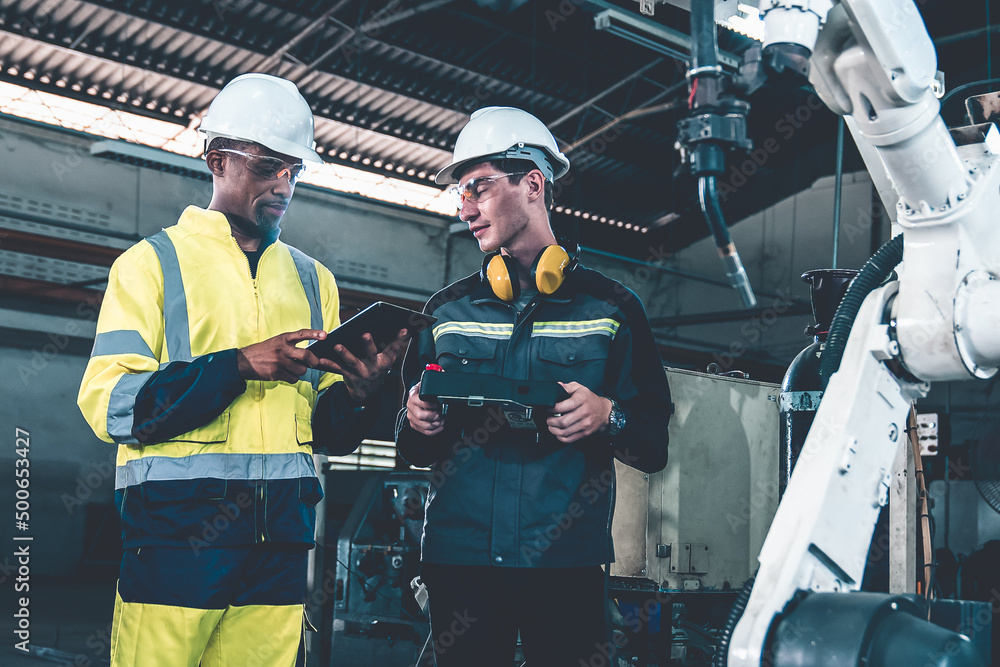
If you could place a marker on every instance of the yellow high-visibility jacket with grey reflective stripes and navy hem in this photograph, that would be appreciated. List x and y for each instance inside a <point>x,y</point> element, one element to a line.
<point>181,302</point>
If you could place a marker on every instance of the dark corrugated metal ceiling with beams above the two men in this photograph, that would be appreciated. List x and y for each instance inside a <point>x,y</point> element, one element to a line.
<point>395,81</point>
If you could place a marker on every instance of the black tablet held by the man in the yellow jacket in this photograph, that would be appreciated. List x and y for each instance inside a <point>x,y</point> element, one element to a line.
<point>382,320</point>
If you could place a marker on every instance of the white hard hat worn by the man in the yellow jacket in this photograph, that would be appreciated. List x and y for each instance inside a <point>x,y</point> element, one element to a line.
<point>266,110</point>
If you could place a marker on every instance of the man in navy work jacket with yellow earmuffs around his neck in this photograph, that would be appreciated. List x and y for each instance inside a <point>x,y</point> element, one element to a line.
<point>517,520</point>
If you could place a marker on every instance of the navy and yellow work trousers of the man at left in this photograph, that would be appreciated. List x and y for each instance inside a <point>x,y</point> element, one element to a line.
<point>222,607</point>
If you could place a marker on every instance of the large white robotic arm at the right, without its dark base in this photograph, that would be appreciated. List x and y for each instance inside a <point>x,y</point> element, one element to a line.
<point>872,60</point>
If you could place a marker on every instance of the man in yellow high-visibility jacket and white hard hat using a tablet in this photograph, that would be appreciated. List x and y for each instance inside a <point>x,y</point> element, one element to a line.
<point>198,375</point>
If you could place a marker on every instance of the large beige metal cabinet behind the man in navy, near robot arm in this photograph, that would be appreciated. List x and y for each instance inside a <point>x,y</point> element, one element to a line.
<point>699,524</point>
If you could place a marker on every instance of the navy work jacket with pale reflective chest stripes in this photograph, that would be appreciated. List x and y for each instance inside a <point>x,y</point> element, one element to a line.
<point>520,498</point>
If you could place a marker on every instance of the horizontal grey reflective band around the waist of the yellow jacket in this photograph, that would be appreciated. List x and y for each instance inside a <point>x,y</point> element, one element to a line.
<point>292,465</point>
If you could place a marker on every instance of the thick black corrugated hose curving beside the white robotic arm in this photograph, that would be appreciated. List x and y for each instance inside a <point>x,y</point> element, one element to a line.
<point>878,267</point>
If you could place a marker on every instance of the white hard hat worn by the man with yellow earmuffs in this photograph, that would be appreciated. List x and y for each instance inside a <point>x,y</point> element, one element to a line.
<point>497,133</point>
